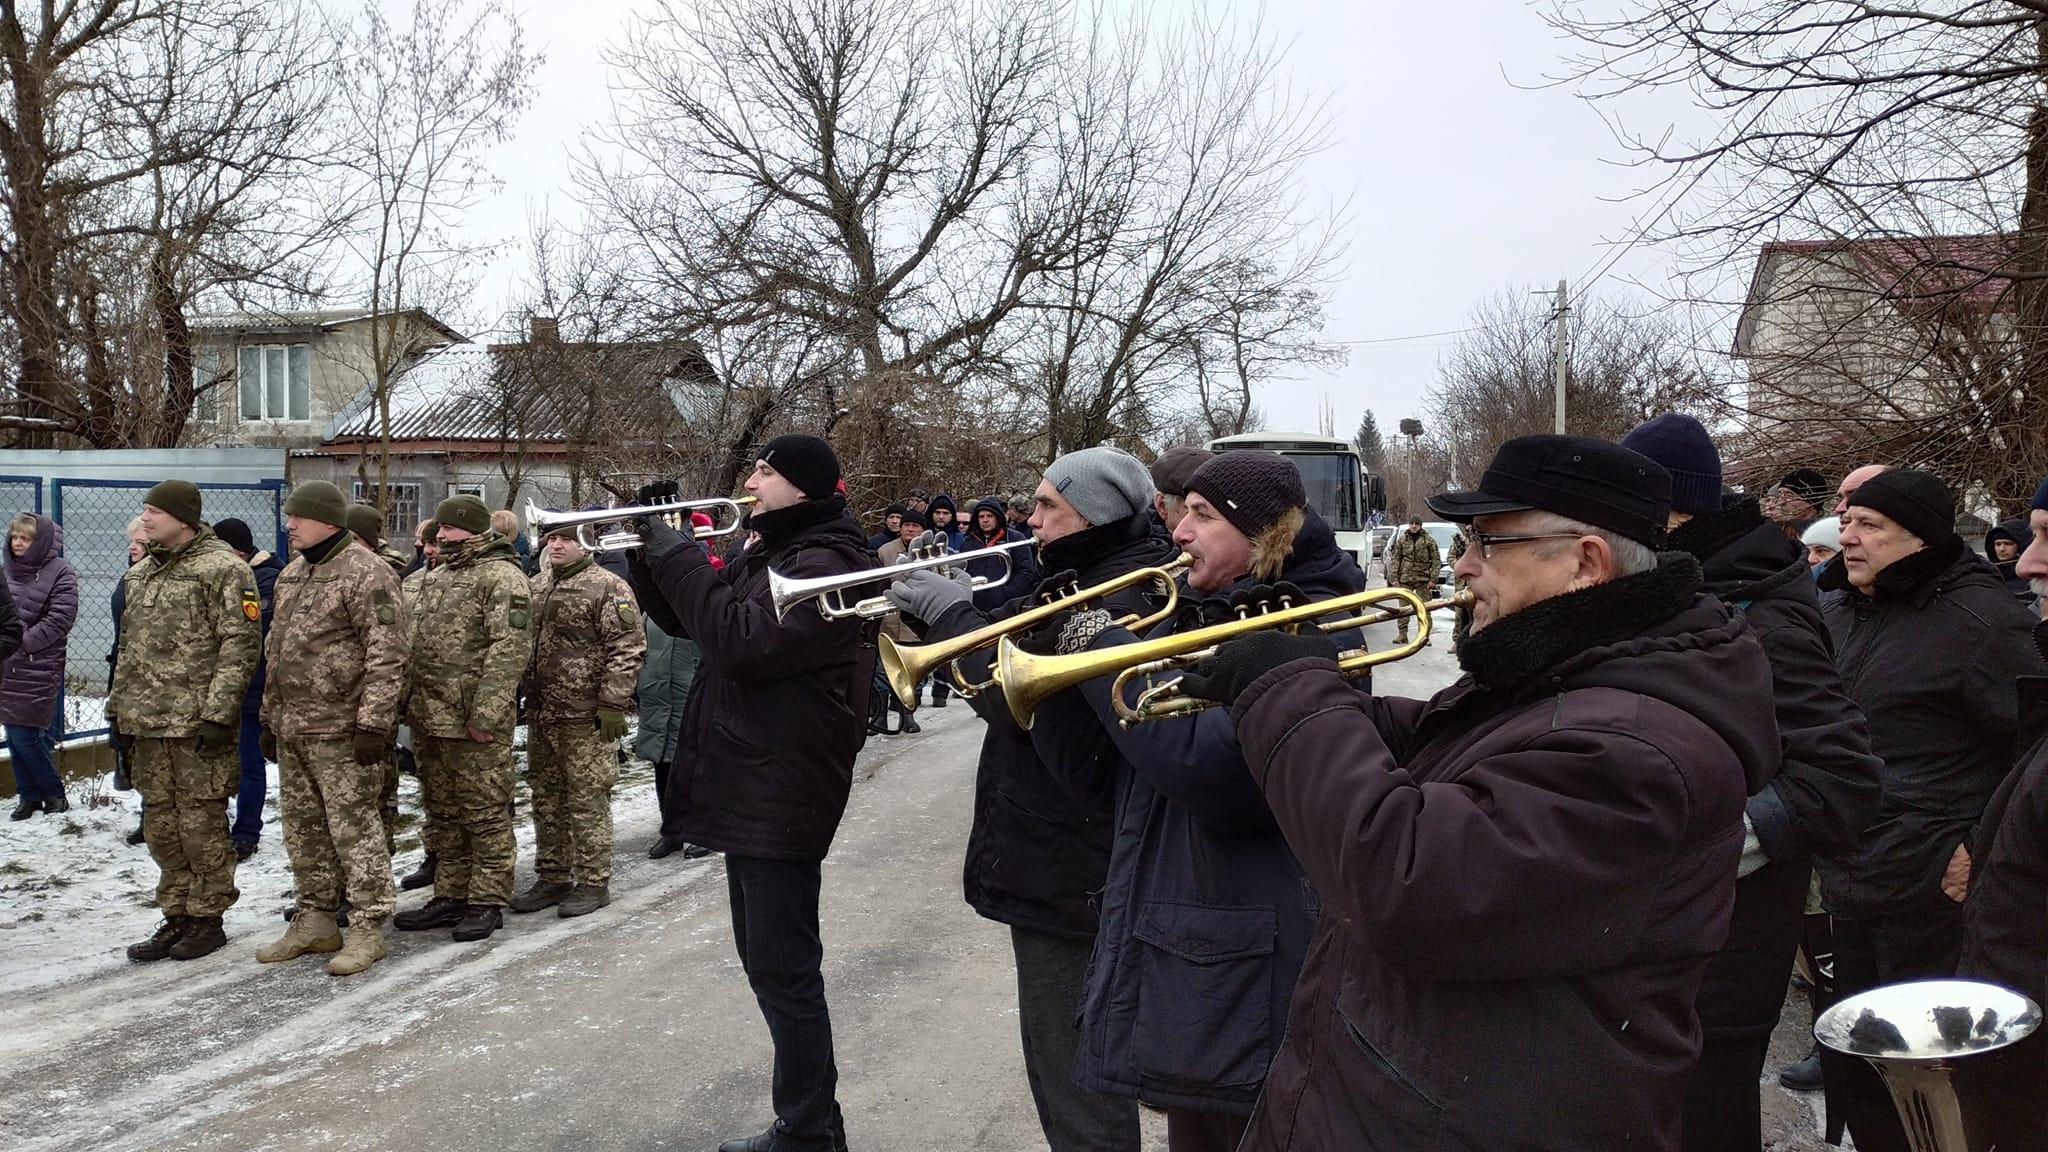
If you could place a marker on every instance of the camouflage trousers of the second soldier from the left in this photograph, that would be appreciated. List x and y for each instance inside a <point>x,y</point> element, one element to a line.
<point>333,829</point>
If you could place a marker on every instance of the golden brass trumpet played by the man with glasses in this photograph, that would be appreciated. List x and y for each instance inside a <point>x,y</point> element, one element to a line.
<point>1029,677</point>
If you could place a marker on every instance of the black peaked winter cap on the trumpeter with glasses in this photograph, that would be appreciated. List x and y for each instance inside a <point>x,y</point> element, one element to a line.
<point>1582,479</point>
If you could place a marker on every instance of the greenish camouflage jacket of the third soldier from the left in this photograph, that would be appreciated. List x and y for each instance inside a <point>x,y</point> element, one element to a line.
<point>472,639</point>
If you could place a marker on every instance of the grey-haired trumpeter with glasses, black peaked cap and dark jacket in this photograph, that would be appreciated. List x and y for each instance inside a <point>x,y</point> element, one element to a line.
<point>1525,876</point>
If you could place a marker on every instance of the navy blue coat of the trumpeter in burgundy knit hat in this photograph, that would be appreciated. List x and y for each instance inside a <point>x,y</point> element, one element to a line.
<point>1205,913</point>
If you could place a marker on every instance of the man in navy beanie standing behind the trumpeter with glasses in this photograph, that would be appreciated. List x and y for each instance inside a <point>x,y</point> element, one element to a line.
<point>1816,800</point>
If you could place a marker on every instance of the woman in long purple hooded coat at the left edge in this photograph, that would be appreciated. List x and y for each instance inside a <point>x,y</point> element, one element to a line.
<point>44,591</point>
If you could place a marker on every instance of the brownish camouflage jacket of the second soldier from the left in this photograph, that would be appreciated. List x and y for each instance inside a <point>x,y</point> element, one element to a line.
<point>337,649</point>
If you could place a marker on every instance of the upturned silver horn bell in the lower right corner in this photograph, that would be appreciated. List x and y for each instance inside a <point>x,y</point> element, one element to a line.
<point>1914,1036</point>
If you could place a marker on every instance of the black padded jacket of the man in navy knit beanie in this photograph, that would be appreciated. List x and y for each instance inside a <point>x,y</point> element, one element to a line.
<point>1824,788</point>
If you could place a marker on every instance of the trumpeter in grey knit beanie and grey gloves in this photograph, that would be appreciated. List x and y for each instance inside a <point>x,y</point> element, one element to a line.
<point>1039,848</point>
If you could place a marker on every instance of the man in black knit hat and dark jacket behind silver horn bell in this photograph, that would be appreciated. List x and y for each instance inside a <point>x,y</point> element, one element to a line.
<point>1930,647</point>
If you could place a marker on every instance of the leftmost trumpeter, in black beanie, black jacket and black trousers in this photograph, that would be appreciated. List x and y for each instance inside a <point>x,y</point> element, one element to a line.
<point>767,755</point>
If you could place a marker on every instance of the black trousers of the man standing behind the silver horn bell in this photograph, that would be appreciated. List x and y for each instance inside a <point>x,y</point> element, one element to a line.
<point>1916,944</point>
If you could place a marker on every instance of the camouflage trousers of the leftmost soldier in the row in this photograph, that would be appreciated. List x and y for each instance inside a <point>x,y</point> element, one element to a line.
<point>185,823</point>
